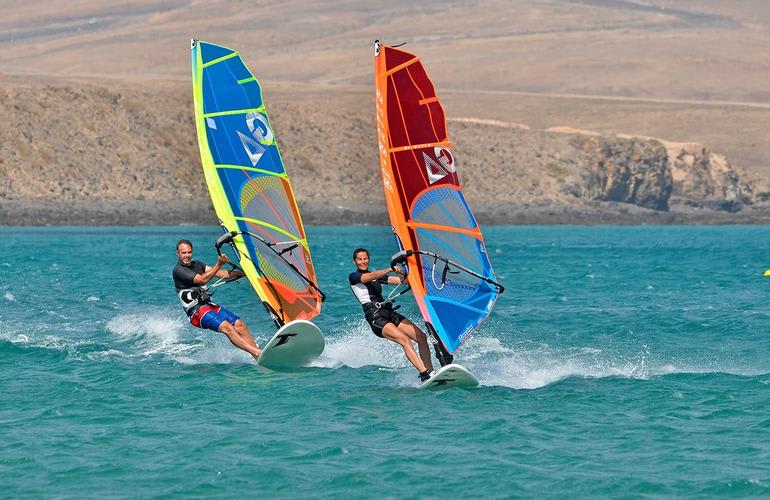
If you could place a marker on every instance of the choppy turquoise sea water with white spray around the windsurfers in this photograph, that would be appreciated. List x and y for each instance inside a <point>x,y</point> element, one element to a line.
<point>620,361</point>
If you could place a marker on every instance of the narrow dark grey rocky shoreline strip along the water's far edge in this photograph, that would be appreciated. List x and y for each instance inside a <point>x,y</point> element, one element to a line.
<point>341,213</point>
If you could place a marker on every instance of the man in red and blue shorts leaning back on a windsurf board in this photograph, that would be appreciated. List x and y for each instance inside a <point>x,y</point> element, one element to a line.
<point>190,279</point>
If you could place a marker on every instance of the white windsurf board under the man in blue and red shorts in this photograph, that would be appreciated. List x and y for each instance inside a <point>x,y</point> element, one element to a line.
<point>295,344</point>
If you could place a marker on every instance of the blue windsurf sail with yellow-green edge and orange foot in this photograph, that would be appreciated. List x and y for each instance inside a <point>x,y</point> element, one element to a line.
<point>249,187</point>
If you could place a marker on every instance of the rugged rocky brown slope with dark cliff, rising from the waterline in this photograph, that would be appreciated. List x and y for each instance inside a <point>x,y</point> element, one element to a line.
<point>75,153</point>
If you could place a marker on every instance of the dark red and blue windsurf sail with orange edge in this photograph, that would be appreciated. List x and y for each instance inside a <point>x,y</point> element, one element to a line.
<point>450,274</point>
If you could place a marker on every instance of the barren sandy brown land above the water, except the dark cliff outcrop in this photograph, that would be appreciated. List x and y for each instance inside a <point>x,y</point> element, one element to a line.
<point>97,106</point>
